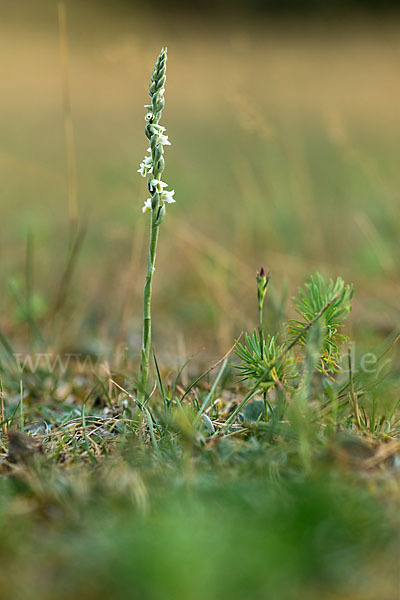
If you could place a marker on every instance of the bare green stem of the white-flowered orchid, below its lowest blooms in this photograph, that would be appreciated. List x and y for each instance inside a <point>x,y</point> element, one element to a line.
<point>146,346</point>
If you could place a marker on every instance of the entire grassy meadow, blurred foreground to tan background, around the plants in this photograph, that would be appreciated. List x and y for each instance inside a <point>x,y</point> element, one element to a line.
<point>285,153</point>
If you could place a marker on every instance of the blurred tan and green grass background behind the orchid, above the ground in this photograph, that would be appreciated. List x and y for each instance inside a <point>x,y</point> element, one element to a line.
<point>285,153</point>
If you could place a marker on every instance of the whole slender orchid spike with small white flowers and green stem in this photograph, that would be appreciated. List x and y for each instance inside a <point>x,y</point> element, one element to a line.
<point>152,167</point>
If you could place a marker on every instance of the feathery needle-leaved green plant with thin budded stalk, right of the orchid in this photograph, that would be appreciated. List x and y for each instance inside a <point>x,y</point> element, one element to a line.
<point>270,364</point>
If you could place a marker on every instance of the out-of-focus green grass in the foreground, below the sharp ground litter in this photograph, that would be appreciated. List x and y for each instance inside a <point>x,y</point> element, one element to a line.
<point>239,524</point>
